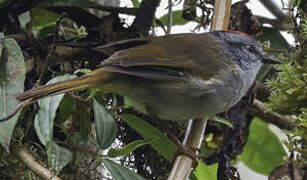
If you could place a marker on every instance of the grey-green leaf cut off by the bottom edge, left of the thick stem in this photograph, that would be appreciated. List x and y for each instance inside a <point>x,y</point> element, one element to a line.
<point>120,172</point>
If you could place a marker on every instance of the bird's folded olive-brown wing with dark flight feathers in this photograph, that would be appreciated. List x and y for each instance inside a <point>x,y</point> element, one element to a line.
<point>149,60</point>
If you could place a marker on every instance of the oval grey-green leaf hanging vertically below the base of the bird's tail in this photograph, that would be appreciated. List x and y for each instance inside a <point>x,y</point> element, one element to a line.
<point>106,129</point>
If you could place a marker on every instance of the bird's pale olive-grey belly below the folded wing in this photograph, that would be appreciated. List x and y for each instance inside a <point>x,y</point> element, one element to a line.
<point>182,100</point>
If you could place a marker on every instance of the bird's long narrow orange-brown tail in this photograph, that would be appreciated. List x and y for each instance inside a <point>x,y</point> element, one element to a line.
<point>93,79</point>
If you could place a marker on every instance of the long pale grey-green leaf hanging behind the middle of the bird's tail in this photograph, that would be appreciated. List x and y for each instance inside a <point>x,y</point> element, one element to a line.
<point>44,118</point>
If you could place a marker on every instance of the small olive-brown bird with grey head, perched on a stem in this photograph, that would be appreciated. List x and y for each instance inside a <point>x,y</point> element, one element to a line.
<point>175,77</point>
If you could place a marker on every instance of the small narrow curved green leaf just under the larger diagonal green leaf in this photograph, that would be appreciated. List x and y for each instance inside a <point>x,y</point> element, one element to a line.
<point>129,148</point>
